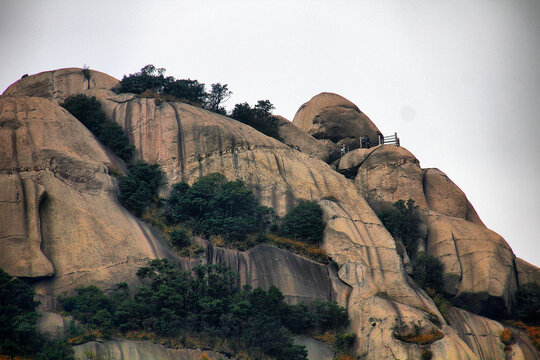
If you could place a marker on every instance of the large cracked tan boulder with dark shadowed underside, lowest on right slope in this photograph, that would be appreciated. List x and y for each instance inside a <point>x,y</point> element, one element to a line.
<point>478,263</point>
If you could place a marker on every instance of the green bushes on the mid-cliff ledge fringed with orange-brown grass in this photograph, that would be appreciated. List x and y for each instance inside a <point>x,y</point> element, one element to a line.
<point>228,213</point>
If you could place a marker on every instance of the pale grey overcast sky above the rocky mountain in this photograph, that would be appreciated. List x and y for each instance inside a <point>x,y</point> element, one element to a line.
<point>458,80</point>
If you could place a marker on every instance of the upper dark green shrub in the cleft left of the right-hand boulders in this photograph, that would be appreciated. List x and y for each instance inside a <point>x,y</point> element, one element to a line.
<point>402,222</point>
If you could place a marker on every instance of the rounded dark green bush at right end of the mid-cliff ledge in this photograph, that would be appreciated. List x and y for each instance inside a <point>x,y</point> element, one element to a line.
<point>304,222</point>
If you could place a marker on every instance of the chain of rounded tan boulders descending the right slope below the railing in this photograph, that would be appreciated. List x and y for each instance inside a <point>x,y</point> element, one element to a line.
<point>478,263</point>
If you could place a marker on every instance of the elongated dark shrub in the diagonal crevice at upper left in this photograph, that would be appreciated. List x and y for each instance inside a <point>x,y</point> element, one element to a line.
<point>88,111</point>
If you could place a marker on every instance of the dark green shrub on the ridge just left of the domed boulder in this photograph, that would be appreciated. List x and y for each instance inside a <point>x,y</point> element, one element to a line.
<point>259,117</point>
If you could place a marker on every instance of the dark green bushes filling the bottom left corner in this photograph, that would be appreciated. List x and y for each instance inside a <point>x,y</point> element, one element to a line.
<point>18,317</point>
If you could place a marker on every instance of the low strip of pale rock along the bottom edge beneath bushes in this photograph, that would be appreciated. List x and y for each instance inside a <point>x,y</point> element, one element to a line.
<point>138,350</point>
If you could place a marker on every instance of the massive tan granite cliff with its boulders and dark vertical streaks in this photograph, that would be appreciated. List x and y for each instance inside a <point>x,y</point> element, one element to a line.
<point>70,229</point>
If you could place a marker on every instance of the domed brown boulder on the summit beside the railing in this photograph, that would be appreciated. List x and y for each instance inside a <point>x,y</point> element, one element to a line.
<point>330,116</point>
